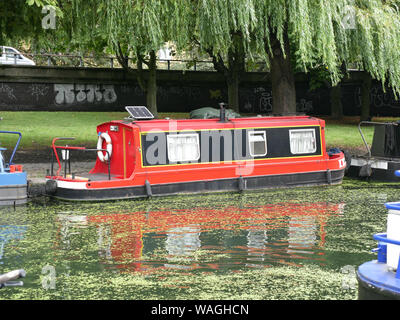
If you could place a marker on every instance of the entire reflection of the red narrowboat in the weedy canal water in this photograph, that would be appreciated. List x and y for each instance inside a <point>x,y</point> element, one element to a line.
<point>205,238</point>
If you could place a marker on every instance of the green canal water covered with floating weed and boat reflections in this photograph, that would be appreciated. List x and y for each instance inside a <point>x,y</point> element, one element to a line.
<point>301,243</point>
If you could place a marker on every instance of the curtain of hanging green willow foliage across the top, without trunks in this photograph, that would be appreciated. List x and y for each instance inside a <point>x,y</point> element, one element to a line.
<point>320,32</point>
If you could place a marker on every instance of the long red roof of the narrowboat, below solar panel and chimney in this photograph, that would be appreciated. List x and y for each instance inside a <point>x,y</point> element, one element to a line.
<point>198,124</point>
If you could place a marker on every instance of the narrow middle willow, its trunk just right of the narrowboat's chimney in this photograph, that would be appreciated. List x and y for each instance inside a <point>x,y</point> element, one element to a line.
<point>222,29</point>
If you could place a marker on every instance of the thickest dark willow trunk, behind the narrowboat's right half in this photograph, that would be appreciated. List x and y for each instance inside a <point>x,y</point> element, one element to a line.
<point>282,78</point>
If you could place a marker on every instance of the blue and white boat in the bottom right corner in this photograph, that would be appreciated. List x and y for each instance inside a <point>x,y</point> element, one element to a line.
<point>380,279</point>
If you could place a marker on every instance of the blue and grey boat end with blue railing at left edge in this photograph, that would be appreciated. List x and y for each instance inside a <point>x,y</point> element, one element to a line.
<point>13,180</point>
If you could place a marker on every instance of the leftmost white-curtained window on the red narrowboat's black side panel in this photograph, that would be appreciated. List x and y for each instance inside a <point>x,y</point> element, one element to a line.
<point>183,147</point>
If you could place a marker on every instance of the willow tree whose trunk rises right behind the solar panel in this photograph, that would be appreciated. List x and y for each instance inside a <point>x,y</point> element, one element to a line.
<point>133,30</point>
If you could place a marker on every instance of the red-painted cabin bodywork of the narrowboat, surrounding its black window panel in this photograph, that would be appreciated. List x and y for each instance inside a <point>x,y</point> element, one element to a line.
<point>127,153</point>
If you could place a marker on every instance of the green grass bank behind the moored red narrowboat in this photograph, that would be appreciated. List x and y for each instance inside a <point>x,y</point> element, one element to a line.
<point>39,128</point>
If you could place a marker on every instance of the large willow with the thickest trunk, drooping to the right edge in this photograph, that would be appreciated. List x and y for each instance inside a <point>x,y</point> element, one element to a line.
<point>307,34</point>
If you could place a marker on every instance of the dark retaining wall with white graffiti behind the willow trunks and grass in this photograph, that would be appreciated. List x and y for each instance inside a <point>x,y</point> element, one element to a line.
<point>95,89</point>
